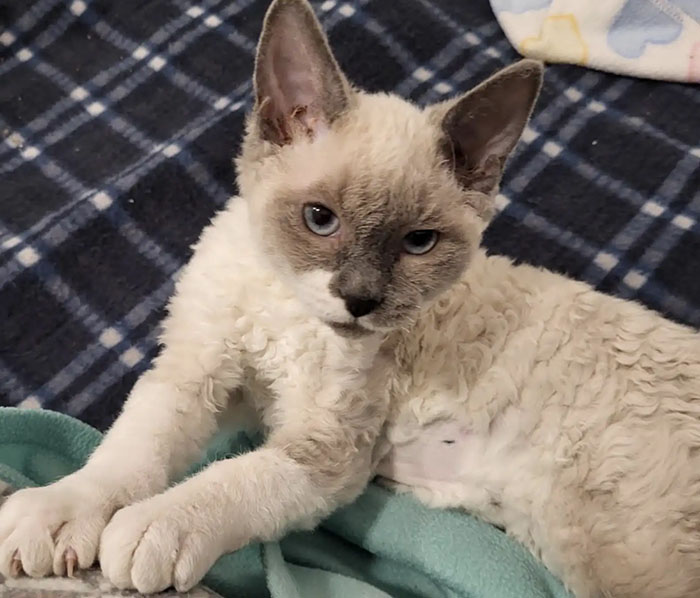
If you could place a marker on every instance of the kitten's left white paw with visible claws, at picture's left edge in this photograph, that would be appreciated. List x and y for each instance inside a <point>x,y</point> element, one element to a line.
<point>52,529</point>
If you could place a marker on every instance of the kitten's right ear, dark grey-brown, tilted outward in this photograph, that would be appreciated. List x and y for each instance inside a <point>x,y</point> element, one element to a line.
<point>482,127</point>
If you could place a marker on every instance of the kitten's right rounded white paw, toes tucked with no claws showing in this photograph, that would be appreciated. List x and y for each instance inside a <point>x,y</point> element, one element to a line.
<point>158,543</point>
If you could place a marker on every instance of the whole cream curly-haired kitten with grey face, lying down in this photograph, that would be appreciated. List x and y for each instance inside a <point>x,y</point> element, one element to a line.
<point>344,302</point>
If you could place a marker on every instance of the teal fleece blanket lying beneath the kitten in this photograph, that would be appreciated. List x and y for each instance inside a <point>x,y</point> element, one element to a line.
<point>383,545</point>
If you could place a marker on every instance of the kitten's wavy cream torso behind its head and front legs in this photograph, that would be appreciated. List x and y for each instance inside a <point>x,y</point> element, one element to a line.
<point>576,426</point>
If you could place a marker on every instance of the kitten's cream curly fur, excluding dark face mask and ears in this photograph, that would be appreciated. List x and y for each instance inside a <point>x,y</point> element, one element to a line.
<point>569,417</point>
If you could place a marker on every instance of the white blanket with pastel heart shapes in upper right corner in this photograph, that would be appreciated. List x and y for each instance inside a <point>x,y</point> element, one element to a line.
<point>658,39</point>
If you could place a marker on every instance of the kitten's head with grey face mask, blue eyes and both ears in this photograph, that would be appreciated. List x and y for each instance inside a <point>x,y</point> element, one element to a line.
<point>369,206</point>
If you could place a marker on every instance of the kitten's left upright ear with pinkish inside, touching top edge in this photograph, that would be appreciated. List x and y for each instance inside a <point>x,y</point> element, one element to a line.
<point>299,87</point>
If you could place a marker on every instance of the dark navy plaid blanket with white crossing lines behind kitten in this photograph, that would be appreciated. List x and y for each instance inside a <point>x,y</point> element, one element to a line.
<point>119,118</point>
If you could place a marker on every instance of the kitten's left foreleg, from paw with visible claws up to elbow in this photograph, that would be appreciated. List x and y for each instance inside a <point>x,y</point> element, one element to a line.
<point>56,529</point>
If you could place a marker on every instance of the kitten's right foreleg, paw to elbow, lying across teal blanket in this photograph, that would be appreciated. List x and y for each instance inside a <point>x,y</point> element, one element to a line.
<point>304,471</point>
